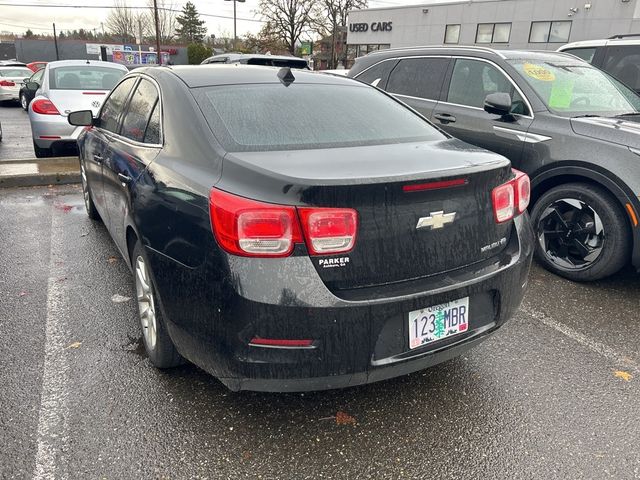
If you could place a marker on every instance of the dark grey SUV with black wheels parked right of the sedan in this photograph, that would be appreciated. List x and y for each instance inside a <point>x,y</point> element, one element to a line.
<point>574,129</point>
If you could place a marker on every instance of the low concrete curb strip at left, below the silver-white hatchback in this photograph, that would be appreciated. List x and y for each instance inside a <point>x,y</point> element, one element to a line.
<point>39,172</point>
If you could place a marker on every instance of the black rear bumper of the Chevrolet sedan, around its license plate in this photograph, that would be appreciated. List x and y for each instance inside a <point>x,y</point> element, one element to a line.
<point>355,341</point>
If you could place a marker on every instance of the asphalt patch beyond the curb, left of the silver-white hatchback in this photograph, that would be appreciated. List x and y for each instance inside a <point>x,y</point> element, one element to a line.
<point>16,133</point>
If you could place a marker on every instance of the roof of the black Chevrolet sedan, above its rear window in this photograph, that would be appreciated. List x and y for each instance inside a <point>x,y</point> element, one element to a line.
<point>195,76</point>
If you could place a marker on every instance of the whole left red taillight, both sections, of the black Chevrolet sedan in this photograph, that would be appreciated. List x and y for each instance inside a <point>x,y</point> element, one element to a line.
<point>250,228</point>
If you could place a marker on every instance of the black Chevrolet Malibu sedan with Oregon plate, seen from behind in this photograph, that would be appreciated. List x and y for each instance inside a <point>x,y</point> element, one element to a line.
<point>294,231</point>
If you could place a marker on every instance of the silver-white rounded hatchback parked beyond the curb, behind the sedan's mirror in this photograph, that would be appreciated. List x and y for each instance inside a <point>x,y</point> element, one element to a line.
<point>67,86</point>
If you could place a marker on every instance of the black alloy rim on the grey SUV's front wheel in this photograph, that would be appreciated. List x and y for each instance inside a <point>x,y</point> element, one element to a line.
<point>571,234</point>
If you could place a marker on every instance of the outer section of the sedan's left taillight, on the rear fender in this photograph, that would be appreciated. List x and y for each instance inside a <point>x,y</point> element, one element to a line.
<point>253,229</point>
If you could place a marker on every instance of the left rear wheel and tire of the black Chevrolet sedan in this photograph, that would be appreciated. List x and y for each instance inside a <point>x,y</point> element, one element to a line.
<point>157,343</point>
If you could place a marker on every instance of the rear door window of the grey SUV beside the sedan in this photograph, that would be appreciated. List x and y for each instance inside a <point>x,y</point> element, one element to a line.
<point>418,77</point>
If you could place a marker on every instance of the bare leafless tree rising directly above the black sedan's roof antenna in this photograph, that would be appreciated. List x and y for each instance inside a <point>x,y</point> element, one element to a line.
<point>288,19</point>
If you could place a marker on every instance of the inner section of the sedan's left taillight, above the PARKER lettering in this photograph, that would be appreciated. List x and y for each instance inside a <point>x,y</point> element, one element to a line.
<point>329,230</point>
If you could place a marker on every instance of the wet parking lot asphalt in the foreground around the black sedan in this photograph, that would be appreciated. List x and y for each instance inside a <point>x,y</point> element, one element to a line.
<point>554,394</point>
